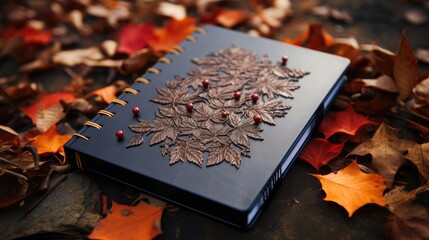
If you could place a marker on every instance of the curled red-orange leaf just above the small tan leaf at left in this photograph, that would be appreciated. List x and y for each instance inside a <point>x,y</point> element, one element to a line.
<point>47,101</point>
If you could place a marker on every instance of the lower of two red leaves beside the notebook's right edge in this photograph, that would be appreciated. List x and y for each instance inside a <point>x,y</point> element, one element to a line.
<point>319,152</point>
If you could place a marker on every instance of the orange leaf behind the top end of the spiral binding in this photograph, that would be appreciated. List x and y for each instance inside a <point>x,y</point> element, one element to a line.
<point>166,38</point>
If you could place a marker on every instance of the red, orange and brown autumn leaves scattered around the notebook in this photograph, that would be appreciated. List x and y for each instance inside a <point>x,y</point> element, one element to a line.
<point>371,147</point>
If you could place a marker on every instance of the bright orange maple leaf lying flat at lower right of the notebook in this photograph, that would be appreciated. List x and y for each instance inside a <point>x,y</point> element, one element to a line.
<point>352,189</point>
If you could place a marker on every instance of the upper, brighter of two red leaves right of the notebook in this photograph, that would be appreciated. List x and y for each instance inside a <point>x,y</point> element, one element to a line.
<point>347,122</point>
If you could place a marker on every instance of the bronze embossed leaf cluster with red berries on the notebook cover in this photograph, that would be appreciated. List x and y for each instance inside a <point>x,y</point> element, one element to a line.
<point>218,108</point>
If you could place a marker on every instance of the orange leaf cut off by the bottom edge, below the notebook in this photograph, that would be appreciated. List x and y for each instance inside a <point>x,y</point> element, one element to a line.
<point>127,222</point>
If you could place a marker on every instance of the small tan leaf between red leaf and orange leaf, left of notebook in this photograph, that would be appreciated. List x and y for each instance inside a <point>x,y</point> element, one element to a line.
<point>45,118</point>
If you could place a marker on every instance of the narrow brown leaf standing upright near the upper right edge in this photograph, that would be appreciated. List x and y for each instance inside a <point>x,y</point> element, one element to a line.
<point>405,70</point>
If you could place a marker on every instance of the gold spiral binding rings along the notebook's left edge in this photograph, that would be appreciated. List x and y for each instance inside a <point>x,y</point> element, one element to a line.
<point>176,50</point>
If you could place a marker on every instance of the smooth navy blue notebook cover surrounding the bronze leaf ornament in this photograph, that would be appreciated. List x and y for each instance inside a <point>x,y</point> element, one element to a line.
<point>223,191</point>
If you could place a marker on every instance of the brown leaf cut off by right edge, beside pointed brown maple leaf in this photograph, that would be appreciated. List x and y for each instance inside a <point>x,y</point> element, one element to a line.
<point>419,155</point>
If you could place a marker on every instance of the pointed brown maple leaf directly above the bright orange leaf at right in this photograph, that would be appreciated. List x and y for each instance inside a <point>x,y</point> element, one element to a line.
<point>386,150</point>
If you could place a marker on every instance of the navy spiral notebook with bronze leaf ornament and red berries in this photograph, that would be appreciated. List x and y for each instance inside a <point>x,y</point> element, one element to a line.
<point>215,124</point>
